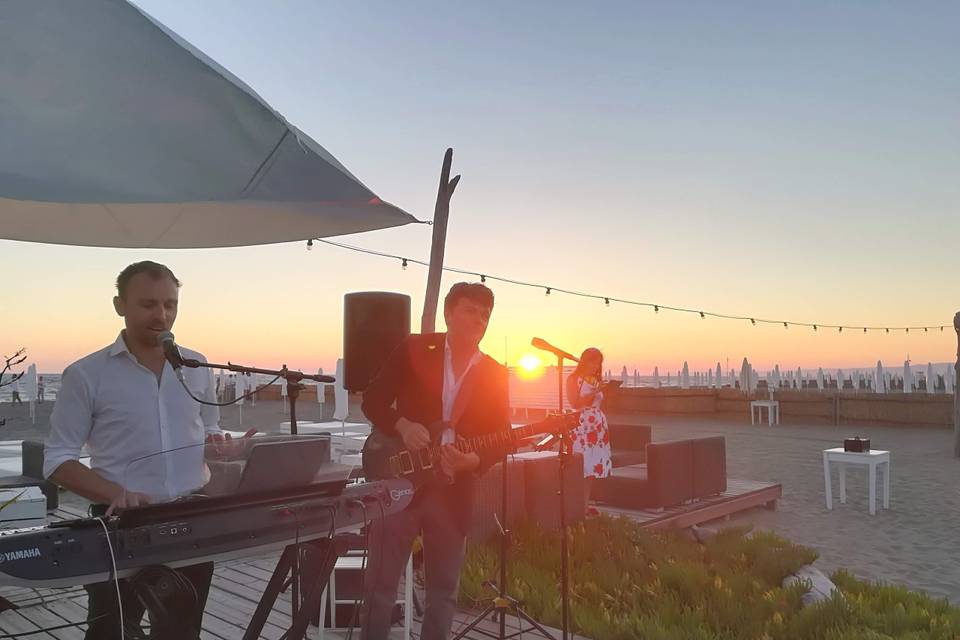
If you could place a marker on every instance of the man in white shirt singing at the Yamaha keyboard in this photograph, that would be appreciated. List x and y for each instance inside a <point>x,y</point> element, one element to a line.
<point>126,405</point>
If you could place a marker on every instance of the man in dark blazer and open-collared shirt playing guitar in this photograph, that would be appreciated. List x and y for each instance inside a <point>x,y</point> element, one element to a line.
<point>430,378</point>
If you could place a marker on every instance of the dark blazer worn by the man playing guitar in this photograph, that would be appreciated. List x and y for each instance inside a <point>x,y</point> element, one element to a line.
<point>410,384</point>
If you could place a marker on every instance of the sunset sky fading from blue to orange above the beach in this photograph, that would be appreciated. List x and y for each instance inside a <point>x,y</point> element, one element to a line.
<point>790,160</point>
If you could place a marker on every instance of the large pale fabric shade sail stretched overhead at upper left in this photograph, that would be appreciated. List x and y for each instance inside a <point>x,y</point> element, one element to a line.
<point>119,133</point>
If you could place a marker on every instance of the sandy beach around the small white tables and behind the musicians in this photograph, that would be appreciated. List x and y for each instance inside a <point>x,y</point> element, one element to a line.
<point>913,543</point>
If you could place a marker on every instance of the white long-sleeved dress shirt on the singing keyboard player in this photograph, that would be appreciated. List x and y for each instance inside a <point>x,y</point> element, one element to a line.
<point>142,433</point>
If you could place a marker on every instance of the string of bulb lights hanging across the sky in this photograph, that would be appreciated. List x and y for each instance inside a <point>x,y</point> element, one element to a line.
<point>548,289</point>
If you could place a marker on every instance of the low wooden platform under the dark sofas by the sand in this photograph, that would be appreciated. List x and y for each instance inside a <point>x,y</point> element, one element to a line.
<point>740,495</point>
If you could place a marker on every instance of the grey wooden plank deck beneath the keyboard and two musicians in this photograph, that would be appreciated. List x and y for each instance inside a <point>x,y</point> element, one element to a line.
<point>234,594</point>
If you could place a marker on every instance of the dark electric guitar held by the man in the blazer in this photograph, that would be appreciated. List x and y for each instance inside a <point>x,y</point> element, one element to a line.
<point>386,457</point>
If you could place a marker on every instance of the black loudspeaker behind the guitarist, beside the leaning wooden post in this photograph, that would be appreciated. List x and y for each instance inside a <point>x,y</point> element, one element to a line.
<point>374,323</point>
